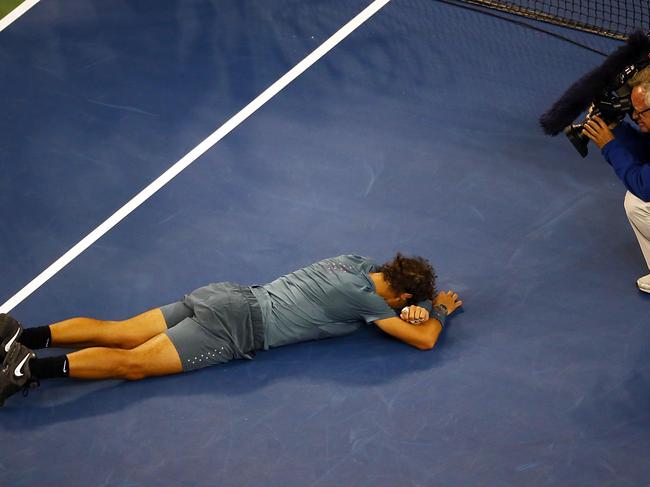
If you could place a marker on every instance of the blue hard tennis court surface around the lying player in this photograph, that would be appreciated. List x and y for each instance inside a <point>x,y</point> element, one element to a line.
<point>417,133</point>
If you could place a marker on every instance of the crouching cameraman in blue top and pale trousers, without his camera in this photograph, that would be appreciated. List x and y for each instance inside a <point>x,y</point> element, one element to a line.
<point>628,151</point>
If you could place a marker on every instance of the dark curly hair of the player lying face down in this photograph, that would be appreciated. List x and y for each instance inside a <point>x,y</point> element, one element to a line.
<point>413,275</point>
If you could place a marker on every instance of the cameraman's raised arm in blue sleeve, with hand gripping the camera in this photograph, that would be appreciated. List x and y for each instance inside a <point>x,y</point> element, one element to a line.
<point>623,149</point>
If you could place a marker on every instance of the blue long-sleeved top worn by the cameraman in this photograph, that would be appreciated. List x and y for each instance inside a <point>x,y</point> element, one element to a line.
<point>629,155</point>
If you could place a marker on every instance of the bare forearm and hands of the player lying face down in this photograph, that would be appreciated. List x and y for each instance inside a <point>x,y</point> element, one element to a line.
<point>420,335</point>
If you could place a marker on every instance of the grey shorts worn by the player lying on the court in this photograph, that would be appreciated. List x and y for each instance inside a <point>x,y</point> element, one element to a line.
<point>215,324</point>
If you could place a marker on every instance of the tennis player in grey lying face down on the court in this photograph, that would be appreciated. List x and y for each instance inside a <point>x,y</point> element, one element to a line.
<point>225,321</point>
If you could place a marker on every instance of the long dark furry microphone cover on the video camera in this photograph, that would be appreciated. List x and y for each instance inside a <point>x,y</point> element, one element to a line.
<point>578,97</point>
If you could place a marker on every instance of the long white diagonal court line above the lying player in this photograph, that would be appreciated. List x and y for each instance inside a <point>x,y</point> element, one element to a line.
<point>191,156</point>
